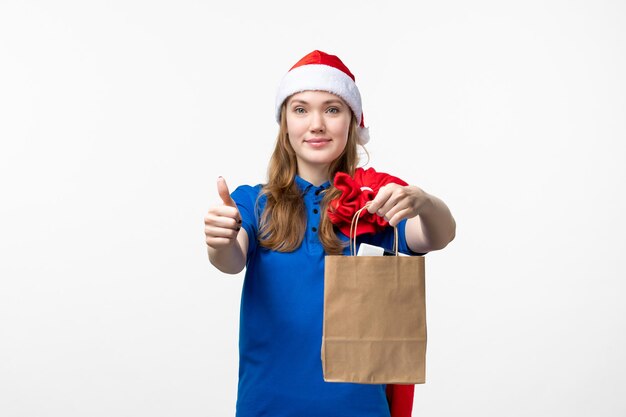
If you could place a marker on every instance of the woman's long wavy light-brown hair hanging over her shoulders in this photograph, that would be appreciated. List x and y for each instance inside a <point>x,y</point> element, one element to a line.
<point>283,223</point>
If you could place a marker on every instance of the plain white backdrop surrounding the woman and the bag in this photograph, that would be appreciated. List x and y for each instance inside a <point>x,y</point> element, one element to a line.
<point>117,117</point>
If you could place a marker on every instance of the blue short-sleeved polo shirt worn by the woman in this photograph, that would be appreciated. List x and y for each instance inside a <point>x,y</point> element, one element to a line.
<point>280,333</point>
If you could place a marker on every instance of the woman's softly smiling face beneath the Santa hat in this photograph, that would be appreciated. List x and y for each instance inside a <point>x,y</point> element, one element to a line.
<point>317,124</point>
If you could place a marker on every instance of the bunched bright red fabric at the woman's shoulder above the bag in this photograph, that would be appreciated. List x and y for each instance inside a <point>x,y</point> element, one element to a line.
<point>355,193</point>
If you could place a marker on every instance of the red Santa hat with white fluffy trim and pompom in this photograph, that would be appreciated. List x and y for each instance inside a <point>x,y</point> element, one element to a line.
<point>321,71</point>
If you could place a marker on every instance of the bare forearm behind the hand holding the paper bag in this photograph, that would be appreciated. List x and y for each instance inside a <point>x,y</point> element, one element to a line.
<point>432,229</point>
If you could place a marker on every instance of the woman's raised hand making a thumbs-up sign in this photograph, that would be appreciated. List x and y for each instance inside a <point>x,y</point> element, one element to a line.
<point>222,222</point>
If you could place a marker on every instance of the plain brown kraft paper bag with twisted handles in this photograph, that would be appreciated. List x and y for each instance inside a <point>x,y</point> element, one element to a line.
<point>374,328</point>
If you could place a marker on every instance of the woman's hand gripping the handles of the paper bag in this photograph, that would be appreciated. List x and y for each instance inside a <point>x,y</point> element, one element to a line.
<point>396,202</point>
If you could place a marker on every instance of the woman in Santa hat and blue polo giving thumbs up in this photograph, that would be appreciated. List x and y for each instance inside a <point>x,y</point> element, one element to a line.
<point>281,231</point>
